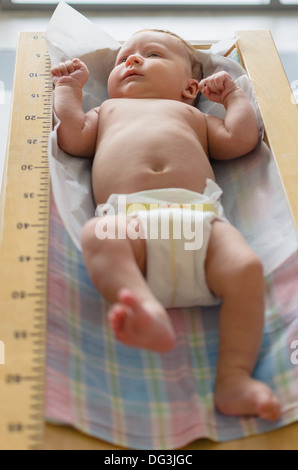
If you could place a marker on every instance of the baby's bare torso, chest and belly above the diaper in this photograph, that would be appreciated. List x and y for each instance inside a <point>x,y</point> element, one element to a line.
<point>154,143</point>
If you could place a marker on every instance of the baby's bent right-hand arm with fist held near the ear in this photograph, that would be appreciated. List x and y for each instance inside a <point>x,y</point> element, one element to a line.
<point>237,134</point>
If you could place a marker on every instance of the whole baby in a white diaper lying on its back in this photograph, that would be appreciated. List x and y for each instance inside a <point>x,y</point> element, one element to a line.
<point>149,141</point>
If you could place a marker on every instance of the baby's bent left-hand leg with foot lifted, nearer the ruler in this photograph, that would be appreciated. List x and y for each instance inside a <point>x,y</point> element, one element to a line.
<point>116,267</point>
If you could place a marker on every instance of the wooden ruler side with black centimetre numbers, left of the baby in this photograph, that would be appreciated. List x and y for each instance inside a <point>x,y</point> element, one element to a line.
<point>24,233</point>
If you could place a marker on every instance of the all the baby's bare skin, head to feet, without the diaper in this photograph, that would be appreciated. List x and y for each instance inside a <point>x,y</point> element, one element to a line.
<point>149,136</point>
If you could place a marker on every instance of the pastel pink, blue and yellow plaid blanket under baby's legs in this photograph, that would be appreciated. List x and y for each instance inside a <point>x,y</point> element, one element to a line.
<point>143,400</point>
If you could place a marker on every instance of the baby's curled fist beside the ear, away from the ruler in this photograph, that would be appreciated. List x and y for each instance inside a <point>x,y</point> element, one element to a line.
<point>217,87</point>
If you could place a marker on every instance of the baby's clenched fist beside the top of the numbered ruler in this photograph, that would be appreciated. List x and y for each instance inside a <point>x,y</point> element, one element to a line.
<point>72,72</point>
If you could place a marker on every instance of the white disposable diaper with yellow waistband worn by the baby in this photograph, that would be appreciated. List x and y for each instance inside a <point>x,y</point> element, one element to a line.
<point>176,224</point>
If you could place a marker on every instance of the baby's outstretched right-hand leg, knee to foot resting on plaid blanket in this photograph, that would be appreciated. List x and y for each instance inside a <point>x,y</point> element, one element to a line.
<point>235,274</point>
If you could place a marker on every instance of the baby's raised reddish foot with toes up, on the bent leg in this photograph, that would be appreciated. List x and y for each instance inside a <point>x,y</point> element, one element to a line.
<point>143,324</point>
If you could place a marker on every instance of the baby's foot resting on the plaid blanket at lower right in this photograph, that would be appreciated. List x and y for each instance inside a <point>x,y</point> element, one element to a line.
<point>243,395</point>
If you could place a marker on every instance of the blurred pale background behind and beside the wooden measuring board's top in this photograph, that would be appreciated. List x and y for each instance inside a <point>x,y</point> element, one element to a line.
<point>198,20</point>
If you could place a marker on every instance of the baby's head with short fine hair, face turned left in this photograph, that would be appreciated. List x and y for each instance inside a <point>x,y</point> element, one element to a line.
<point>156,64</point>
